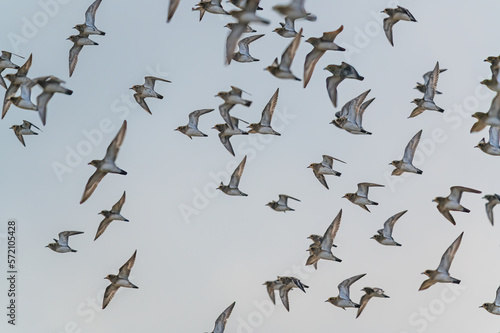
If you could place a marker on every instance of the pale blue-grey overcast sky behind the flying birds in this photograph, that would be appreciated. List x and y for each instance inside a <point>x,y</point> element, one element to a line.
<point>199,250</point>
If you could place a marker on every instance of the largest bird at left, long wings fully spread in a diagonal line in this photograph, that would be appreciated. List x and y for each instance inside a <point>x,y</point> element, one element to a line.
<point>106,165</point>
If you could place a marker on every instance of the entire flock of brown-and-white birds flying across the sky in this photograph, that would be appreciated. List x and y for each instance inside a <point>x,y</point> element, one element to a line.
<point>349,118</point>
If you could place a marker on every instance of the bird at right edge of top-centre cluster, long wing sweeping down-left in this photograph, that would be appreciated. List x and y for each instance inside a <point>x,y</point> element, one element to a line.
<point>320,46</point>
